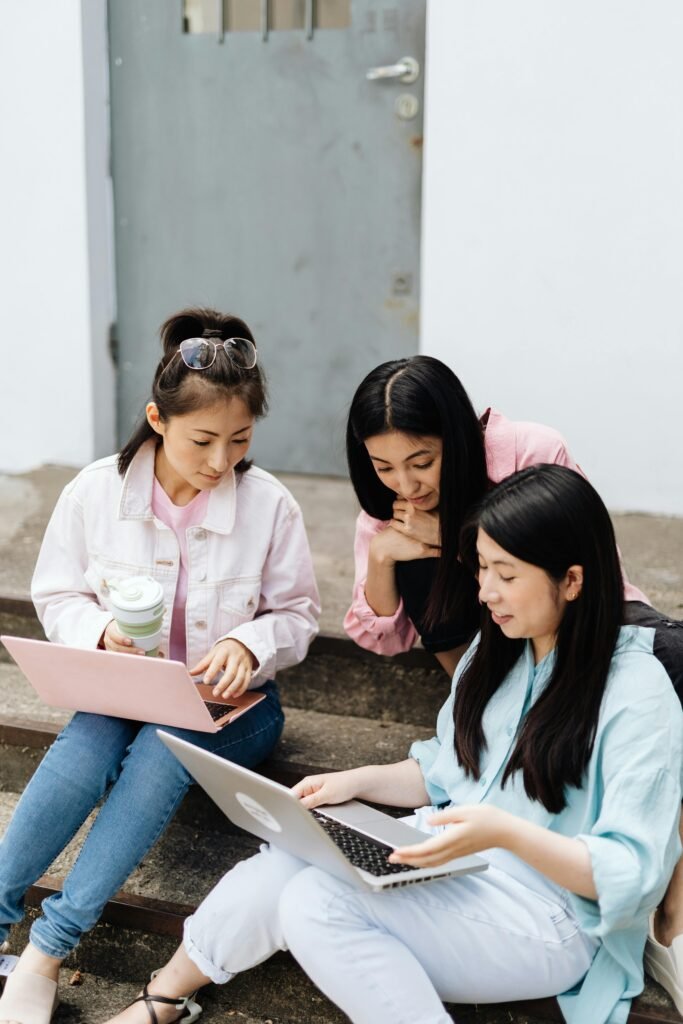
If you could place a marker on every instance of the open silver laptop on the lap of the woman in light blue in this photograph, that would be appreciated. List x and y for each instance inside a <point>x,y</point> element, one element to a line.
<point>351,841</point>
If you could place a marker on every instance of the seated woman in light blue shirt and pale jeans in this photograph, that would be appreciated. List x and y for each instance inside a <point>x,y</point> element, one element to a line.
<point>558,757</point>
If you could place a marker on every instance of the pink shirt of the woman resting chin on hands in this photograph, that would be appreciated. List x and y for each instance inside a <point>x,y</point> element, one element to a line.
<point>510,447</point>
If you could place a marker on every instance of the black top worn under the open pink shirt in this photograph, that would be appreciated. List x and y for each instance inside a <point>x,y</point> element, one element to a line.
<point>414,581</point>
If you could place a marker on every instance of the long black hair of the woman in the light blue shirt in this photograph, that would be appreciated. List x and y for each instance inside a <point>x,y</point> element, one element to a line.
<point>551,518</point>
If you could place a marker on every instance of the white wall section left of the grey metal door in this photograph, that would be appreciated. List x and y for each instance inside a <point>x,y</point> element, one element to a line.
<point>57,389</point>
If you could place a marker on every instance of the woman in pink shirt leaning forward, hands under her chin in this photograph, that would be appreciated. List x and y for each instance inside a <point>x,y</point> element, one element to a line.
<point>419,458</point>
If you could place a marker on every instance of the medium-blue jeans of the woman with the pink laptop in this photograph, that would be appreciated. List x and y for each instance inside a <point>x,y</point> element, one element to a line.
<point>146,783</point>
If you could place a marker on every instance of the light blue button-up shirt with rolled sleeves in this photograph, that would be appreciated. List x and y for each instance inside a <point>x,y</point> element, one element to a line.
<point>627,812</point>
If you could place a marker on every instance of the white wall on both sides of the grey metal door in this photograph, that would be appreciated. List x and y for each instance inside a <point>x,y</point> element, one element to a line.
<point>553,229</point>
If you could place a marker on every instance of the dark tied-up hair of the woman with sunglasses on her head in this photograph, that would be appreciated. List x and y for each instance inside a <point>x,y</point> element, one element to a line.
<point>177,390</point>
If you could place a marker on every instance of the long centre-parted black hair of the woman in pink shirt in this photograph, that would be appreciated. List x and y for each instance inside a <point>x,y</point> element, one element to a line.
<point>422,397</point>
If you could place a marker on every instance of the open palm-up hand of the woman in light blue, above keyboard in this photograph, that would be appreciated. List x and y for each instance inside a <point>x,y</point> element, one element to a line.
<point>471,830</point>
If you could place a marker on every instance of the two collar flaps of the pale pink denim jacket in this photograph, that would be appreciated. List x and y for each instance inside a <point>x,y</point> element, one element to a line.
<point>136,500</point>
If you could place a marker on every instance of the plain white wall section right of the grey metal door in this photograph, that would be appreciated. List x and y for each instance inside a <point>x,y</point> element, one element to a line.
<point>553,226</point>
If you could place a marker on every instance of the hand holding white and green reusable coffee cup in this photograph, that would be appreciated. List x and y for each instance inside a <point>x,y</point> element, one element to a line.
<point>138,605</point>
